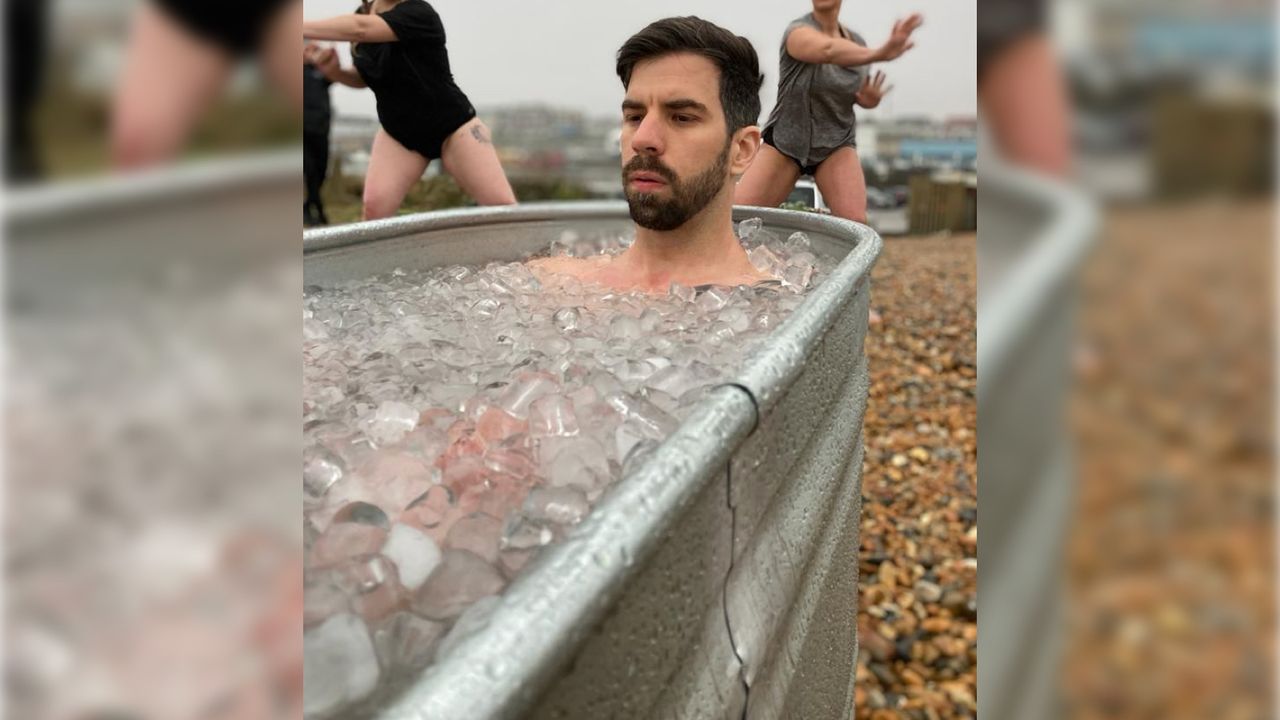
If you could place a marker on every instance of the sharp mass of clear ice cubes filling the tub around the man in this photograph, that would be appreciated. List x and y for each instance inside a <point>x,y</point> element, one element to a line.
<point>458,421</point>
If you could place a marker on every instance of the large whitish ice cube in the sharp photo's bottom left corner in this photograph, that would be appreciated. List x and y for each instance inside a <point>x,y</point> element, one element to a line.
<point>341,664</point>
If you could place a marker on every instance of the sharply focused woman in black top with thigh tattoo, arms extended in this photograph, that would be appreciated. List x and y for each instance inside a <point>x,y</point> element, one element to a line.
<point>399,51</point>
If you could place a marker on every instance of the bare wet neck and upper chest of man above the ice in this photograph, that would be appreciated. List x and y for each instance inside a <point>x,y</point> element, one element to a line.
<point>702,249</point>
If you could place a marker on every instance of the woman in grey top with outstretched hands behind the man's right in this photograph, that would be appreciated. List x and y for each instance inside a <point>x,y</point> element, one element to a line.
<point>822,74</point>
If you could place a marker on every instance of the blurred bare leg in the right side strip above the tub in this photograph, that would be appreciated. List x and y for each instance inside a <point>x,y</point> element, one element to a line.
<point>1023,95</point>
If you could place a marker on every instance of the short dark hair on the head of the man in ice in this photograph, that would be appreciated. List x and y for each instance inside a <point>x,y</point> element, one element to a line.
<point>739,66</point>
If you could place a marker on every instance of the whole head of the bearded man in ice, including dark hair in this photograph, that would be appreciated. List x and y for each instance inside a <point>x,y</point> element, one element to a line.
<point>689,119</point>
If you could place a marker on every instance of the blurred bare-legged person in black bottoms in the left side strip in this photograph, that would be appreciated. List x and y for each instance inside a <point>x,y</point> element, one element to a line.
<point>181,56</point>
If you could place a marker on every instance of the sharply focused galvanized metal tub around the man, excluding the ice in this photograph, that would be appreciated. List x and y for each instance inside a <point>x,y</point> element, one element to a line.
<point>717,580</point>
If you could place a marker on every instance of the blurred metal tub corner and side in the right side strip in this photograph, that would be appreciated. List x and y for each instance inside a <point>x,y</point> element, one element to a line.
<point>1034,239</point>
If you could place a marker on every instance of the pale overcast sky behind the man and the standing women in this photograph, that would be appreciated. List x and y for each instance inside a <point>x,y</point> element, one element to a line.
<point>563,52</point>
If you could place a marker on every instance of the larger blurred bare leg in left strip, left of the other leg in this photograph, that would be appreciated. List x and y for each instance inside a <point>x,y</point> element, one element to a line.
<point>170,80</point>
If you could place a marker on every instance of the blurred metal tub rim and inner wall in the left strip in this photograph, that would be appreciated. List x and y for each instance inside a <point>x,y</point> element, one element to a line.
<point>116,234</point>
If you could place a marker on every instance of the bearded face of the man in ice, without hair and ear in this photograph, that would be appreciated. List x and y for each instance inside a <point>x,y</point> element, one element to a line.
<point>675,144</point>
